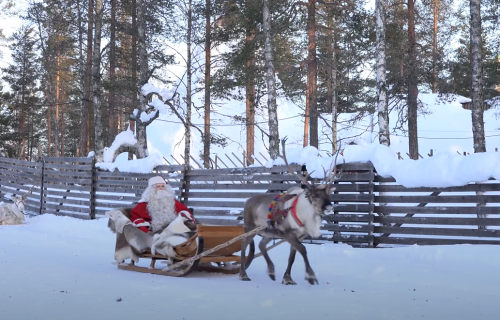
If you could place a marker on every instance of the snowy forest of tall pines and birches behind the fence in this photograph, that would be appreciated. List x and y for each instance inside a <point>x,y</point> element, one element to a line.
<point>76,70</point>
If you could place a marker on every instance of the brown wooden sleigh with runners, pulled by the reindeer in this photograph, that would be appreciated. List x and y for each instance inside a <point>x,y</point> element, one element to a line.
<point>206,238</point>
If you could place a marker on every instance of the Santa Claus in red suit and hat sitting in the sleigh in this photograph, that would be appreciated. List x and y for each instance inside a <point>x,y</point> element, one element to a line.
<point>157,207</point>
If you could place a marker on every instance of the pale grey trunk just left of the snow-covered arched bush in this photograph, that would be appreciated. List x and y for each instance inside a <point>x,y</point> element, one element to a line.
<point>96,81</point>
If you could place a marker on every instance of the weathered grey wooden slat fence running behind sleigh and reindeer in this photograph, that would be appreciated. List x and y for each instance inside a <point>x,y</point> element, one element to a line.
<point>368,210</point>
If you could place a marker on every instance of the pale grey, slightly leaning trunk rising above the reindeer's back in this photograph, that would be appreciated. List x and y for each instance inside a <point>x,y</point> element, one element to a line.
<point>271,84</point>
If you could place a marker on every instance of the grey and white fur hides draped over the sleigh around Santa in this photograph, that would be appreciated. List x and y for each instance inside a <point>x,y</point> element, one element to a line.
<point>138,241</point>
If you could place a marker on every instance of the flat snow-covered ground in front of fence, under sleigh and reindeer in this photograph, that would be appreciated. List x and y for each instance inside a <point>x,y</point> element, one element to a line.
<point>63,268</point>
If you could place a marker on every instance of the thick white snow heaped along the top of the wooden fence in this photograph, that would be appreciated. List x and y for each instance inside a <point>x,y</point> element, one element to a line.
<point>441,170</point>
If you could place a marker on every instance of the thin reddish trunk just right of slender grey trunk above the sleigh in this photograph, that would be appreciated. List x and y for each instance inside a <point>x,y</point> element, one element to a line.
<point>208,44</point>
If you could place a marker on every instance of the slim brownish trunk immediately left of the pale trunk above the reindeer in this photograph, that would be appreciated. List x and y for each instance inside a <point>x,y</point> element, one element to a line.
<point>250,89</point>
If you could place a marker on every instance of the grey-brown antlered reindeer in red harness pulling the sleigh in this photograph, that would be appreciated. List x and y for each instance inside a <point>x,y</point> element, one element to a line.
<point>303,210</point>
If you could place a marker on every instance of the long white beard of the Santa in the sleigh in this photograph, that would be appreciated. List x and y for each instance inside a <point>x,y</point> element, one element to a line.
<point>161,208</point>
